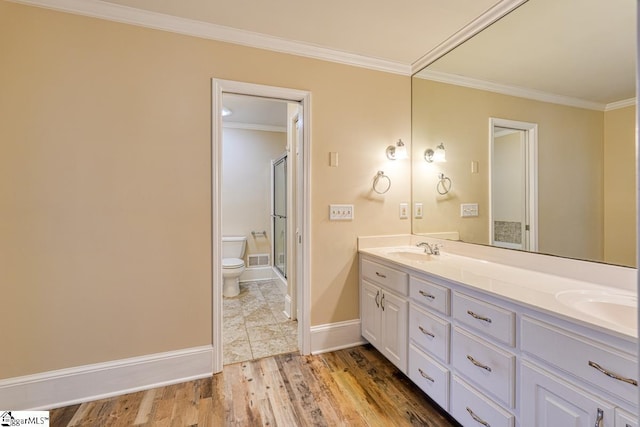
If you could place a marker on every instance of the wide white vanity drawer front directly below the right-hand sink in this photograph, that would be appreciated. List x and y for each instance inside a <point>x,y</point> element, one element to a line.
<point>588,360</point>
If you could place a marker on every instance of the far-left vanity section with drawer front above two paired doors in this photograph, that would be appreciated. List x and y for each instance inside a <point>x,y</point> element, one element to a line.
<point>384,310</point>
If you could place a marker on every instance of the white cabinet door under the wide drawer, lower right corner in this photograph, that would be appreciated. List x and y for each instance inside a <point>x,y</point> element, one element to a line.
<point>547,401</point>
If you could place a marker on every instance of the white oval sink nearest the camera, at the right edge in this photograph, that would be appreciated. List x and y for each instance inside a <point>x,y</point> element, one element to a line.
<point>619,307</point>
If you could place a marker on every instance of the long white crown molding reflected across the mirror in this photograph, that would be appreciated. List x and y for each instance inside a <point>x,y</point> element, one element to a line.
<point>511,90</point>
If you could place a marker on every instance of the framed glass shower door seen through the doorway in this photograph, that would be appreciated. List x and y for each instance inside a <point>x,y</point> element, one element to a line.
<point>279,215</point>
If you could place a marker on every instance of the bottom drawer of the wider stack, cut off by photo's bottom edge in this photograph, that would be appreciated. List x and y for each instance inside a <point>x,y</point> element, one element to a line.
<point>471,408</point>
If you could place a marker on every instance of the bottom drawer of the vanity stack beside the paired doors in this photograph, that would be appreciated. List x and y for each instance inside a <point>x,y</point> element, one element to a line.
<point>430,376</point>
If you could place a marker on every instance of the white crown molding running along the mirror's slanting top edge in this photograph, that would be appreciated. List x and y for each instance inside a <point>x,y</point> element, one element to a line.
<point>474,27</point>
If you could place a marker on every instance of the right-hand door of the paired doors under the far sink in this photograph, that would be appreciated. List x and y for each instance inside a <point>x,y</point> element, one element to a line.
<point>394,329</point>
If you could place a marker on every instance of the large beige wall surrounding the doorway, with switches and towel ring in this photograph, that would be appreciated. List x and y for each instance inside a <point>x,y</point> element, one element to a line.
<point>105,195</point>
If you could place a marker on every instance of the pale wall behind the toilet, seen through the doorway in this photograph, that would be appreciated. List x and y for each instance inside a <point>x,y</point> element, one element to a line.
<point>246,183</point>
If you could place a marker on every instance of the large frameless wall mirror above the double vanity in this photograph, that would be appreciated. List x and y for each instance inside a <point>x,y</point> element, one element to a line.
<point>536,115</point>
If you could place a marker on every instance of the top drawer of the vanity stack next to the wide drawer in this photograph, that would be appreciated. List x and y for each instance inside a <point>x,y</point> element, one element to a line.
<point>485,317</point>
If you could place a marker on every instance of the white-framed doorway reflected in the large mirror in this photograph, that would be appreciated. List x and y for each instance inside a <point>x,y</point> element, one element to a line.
<point>513,184</point>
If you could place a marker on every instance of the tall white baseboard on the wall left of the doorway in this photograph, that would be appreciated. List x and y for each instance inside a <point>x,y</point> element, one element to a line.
<point>64,387</point>
